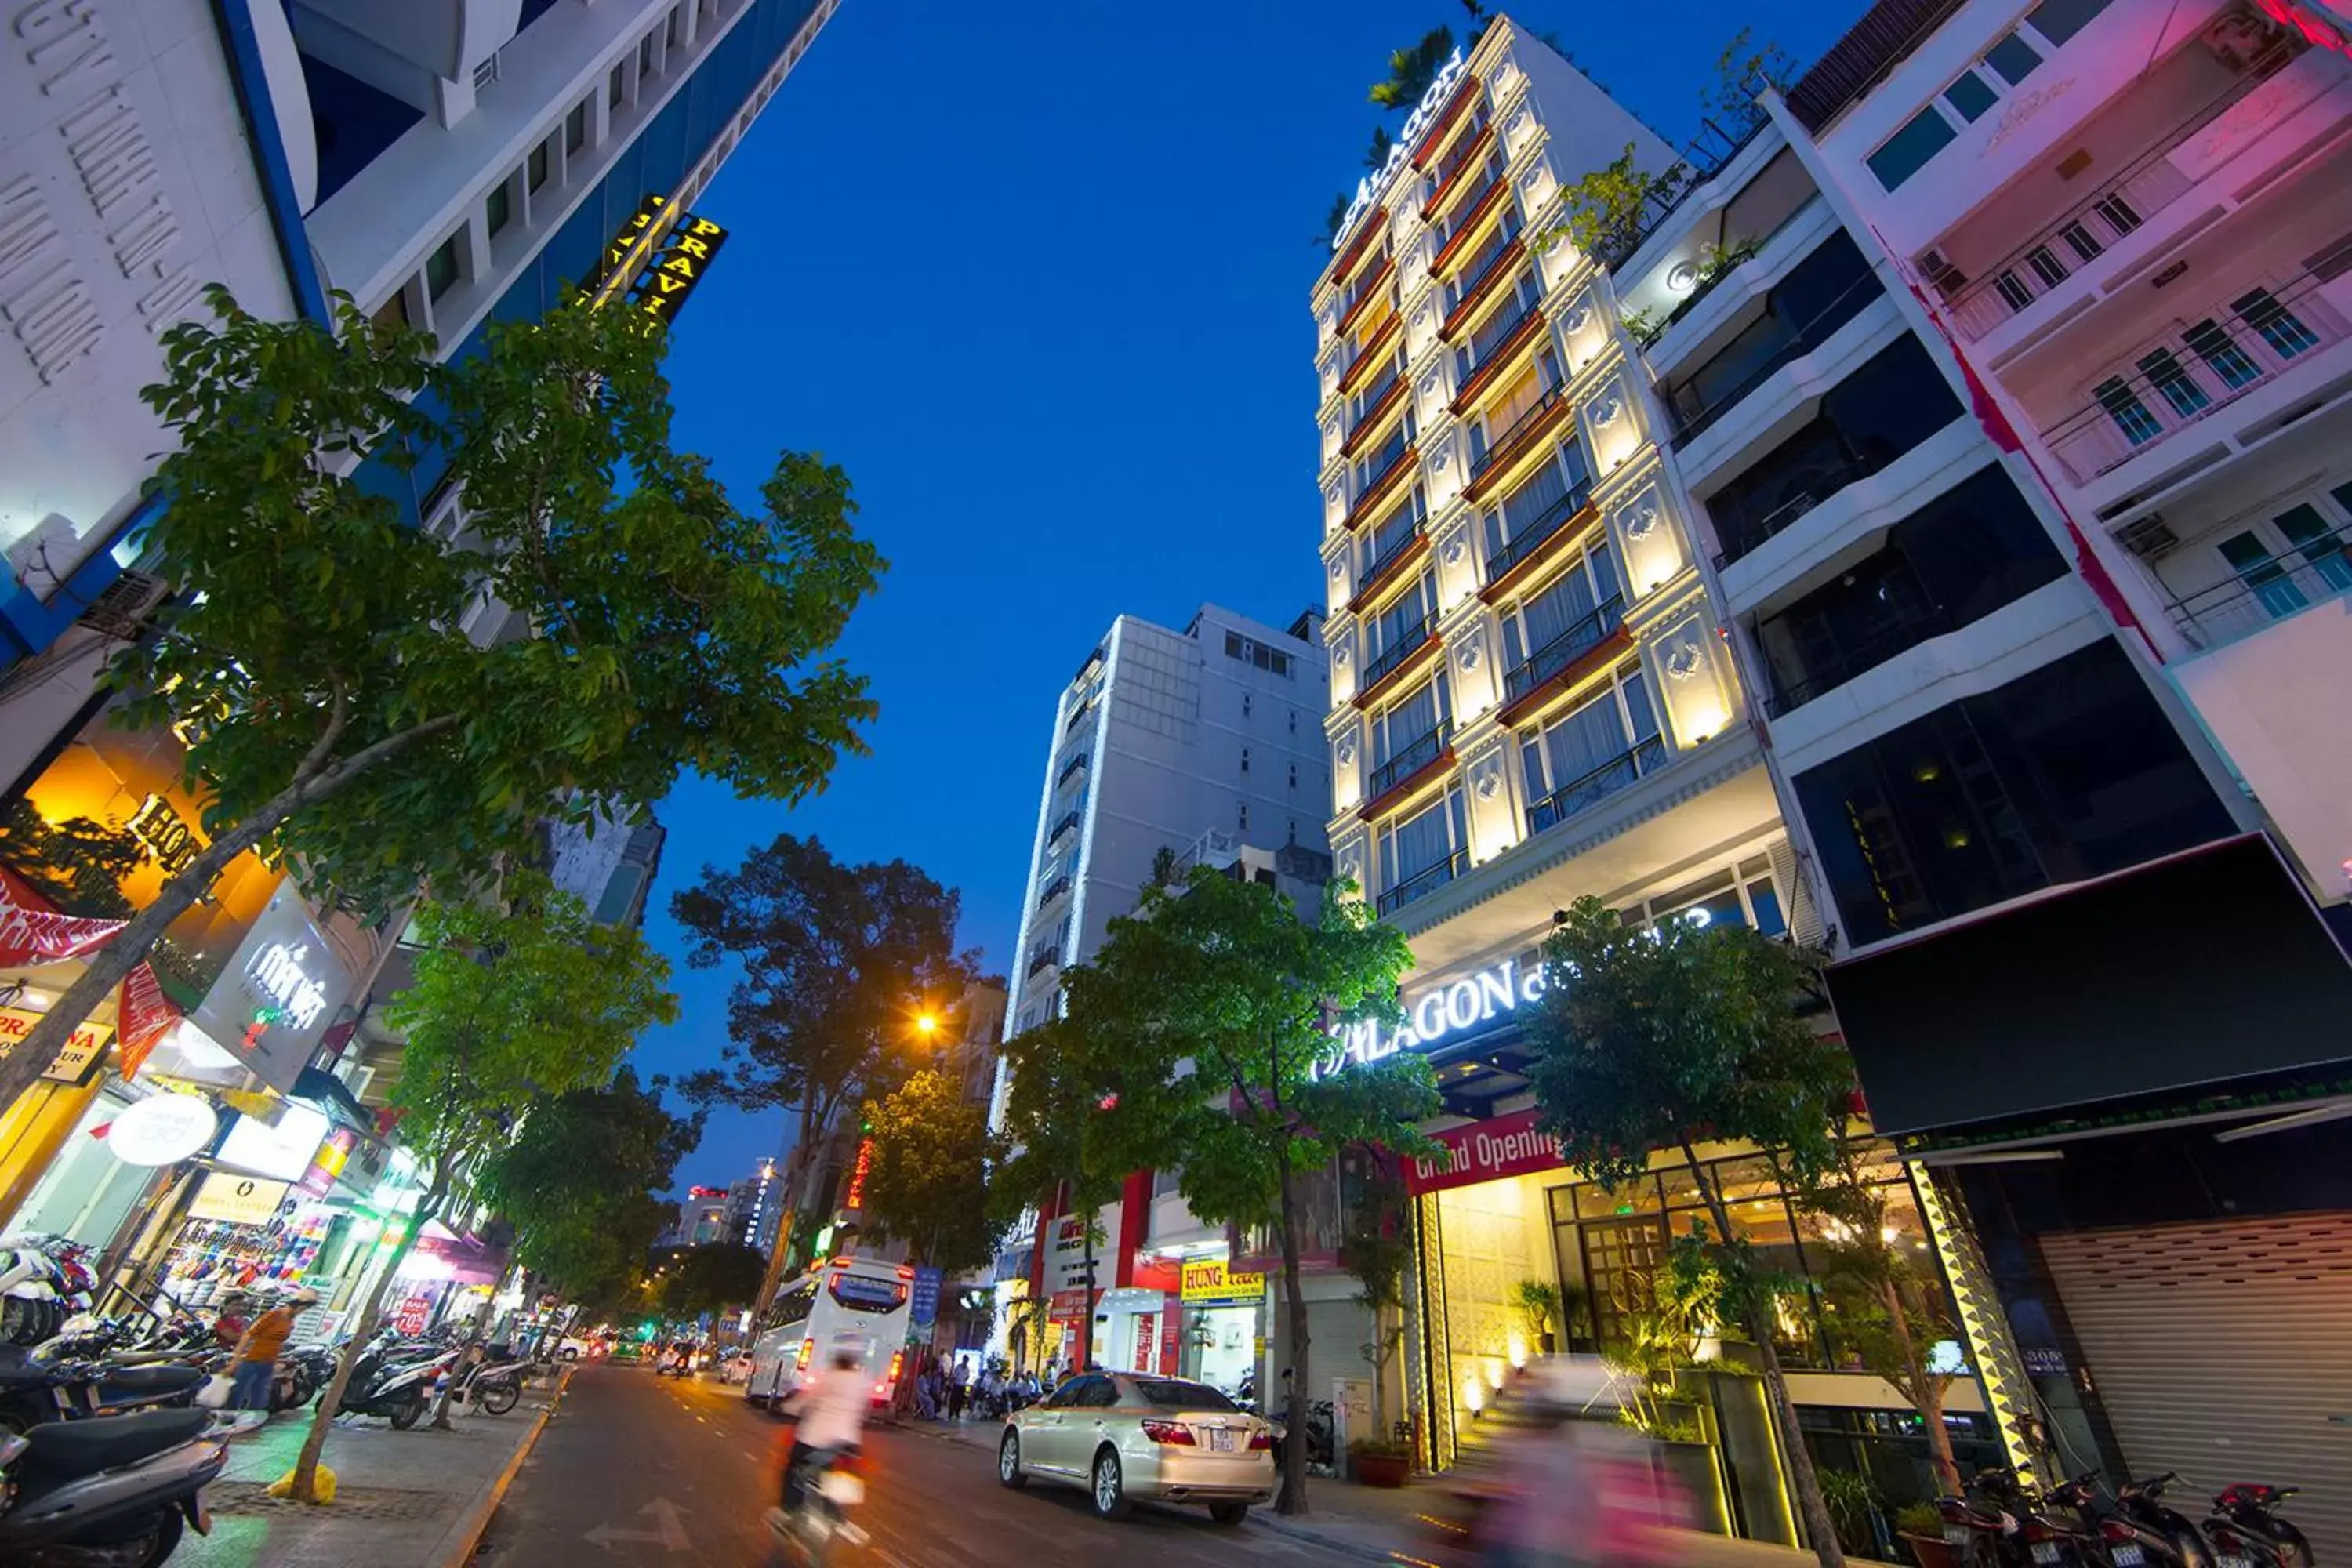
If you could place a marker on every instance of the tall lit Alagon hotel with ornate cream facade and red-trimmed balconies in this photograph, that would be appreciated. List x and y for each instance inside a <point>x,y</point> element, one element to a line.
<point>1532,697</point>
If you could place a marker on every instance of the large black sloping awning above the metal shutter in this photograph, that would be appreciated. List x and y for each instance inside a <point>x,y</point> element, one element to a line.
<point>2179,986</point>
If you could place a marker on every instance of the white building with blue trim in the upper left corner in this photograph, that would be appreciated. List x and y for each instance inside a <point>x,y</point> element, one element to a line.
<point>441,161</point>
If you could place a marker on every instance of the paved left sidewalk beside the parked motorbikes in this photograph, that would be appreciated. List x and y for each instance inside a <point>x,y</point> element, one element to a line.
<point>403,1499</point>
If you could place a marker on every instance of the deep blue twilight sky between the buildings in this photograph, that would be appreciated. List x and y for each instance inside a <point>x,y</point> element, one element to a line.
<point>1036,276</point>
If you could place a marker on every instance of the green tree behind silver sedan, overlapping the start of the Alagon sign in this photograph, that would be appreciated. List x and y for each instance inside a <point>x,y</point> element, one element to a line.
<point>1222,1003</point>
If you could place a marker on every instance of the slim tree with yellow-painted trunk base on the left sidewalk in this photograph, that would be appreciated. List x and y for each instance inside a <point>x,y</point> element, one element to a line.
<point>514,1000</point>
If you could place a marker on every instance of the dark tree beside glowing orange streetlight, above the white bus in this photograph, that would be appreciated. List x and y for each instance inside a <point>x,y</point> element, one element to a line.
<point>836,967</point>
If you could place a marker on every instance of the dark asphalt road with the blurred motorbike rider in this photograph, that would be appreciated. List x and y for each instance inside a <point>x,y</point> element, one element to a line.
<point>653,1470</point>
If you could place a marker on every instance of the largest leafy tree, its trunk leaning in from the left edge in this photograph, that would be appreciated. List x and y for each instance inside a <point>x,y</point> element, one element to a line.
<point>319,657</point>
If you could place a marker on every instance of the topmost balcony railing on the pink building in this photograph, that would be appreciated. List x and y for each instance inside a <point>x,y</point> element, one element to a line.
<point>2123,203</point>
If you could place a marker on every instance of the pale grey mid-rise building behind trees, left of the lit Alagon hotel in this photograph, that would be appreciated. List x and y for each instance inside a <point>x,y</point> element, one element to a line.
<point>1168,746</point>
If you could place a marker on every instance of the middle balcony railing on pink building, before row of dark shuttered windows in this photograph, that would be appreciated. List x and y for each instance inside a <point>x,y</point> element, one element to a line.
<point>2196,375</point>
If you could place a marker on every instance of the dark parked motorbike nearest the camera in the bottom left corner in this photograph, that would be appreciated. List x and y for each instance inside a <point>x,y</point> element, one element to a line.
<point>107,1494</point>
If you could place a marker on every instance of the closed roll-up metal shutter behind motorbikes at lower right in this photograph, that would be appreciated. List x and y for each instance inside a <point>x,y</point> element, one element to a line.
<point>2224,1353</point>
